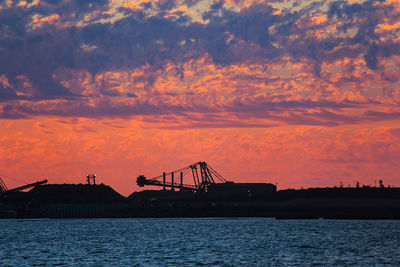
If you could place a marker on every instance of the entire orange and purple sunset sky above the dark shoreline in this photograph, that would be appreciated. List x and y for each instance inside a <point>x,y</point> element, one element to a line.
<point>295,93</point>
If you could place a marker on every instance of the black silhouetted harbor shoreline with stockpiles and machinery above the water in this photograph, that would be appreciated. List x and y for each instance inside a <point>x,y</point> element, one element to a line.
<point>207,195</point>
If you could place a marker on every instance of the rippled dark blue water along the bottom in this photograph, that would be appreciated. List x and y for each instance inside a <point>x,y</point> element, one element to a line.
<point>199,242</point>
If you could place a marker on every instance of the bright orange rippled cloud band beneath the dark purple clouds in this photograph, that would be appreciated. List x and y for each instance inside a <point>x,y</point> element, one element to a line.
<point>284,92</point>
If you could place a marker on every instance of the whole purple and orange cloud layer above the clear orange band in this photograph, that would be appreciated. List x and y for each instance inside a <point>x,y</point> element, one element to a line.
<point>326,63</point>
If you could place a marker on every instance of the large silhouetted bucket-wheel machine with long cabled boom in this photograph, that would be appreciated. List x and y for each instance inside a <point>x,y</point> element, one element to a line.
<point>202,173</point>
